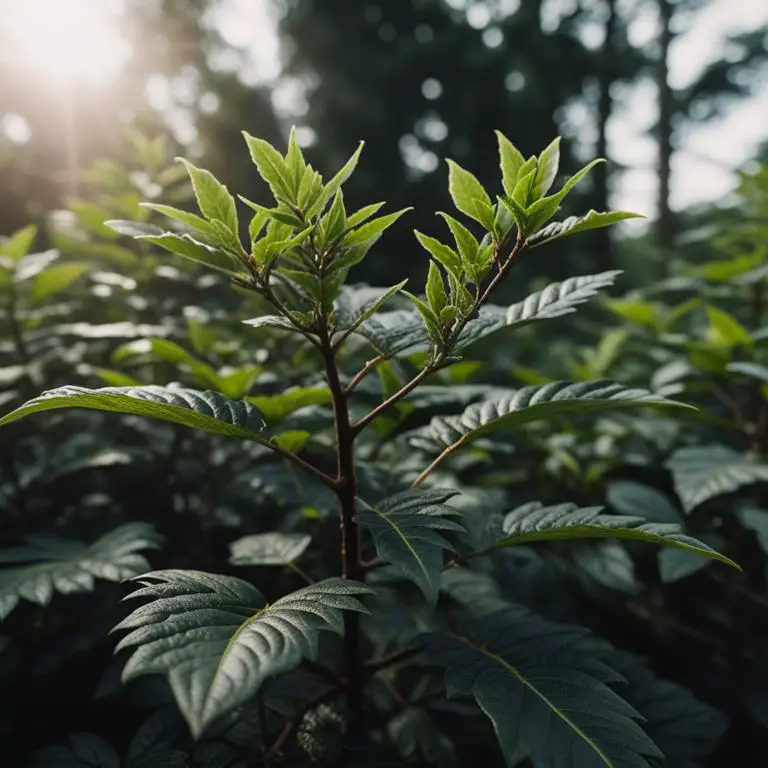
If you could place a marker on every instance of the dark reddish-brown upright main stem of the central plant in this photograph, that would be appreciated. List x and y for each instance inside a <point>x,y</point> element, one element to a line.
<point>351,562</point>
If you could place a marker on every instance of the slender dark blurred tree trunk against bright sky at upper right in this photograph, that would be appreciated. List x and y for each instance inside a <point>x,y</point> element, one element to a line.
<point>665,225</point>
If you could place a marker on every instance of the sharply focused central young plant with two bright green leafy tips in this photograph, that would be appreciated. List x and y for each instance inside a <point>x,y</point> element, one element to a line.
<point>549,691</point>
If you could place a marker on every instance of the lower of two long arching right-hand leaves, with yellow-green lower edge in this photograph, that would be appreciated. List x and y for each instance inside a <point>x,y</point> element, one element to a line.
<point>533,522</point>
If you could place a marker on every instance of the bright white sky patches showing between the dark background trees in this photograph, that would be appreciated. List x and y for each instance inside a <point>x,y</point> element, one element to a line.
<point>73,38</point>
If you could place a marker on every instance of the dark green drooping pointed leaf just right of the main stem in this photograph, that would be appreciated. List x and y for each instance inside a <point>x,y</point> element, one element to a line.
<point>405,530</point>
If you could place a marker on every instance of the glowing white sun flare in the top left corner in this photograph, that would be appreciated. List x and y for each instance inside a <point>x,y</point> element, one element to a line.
<point>67,39</point>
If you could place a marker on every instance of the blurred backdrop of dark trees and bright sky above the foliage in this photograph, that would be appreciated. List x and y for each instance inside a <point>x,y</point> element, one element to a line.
<point>673,92</point>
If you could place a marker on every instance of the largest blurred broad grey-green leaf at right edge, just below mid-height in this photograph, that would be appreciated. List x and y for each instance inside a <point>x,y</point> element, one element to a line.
<point>701,473</point>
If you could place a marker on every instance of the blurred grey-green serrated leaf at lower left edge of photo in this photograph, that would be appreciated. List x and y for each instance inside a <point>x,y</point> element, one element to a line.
<point>49,564</point>
